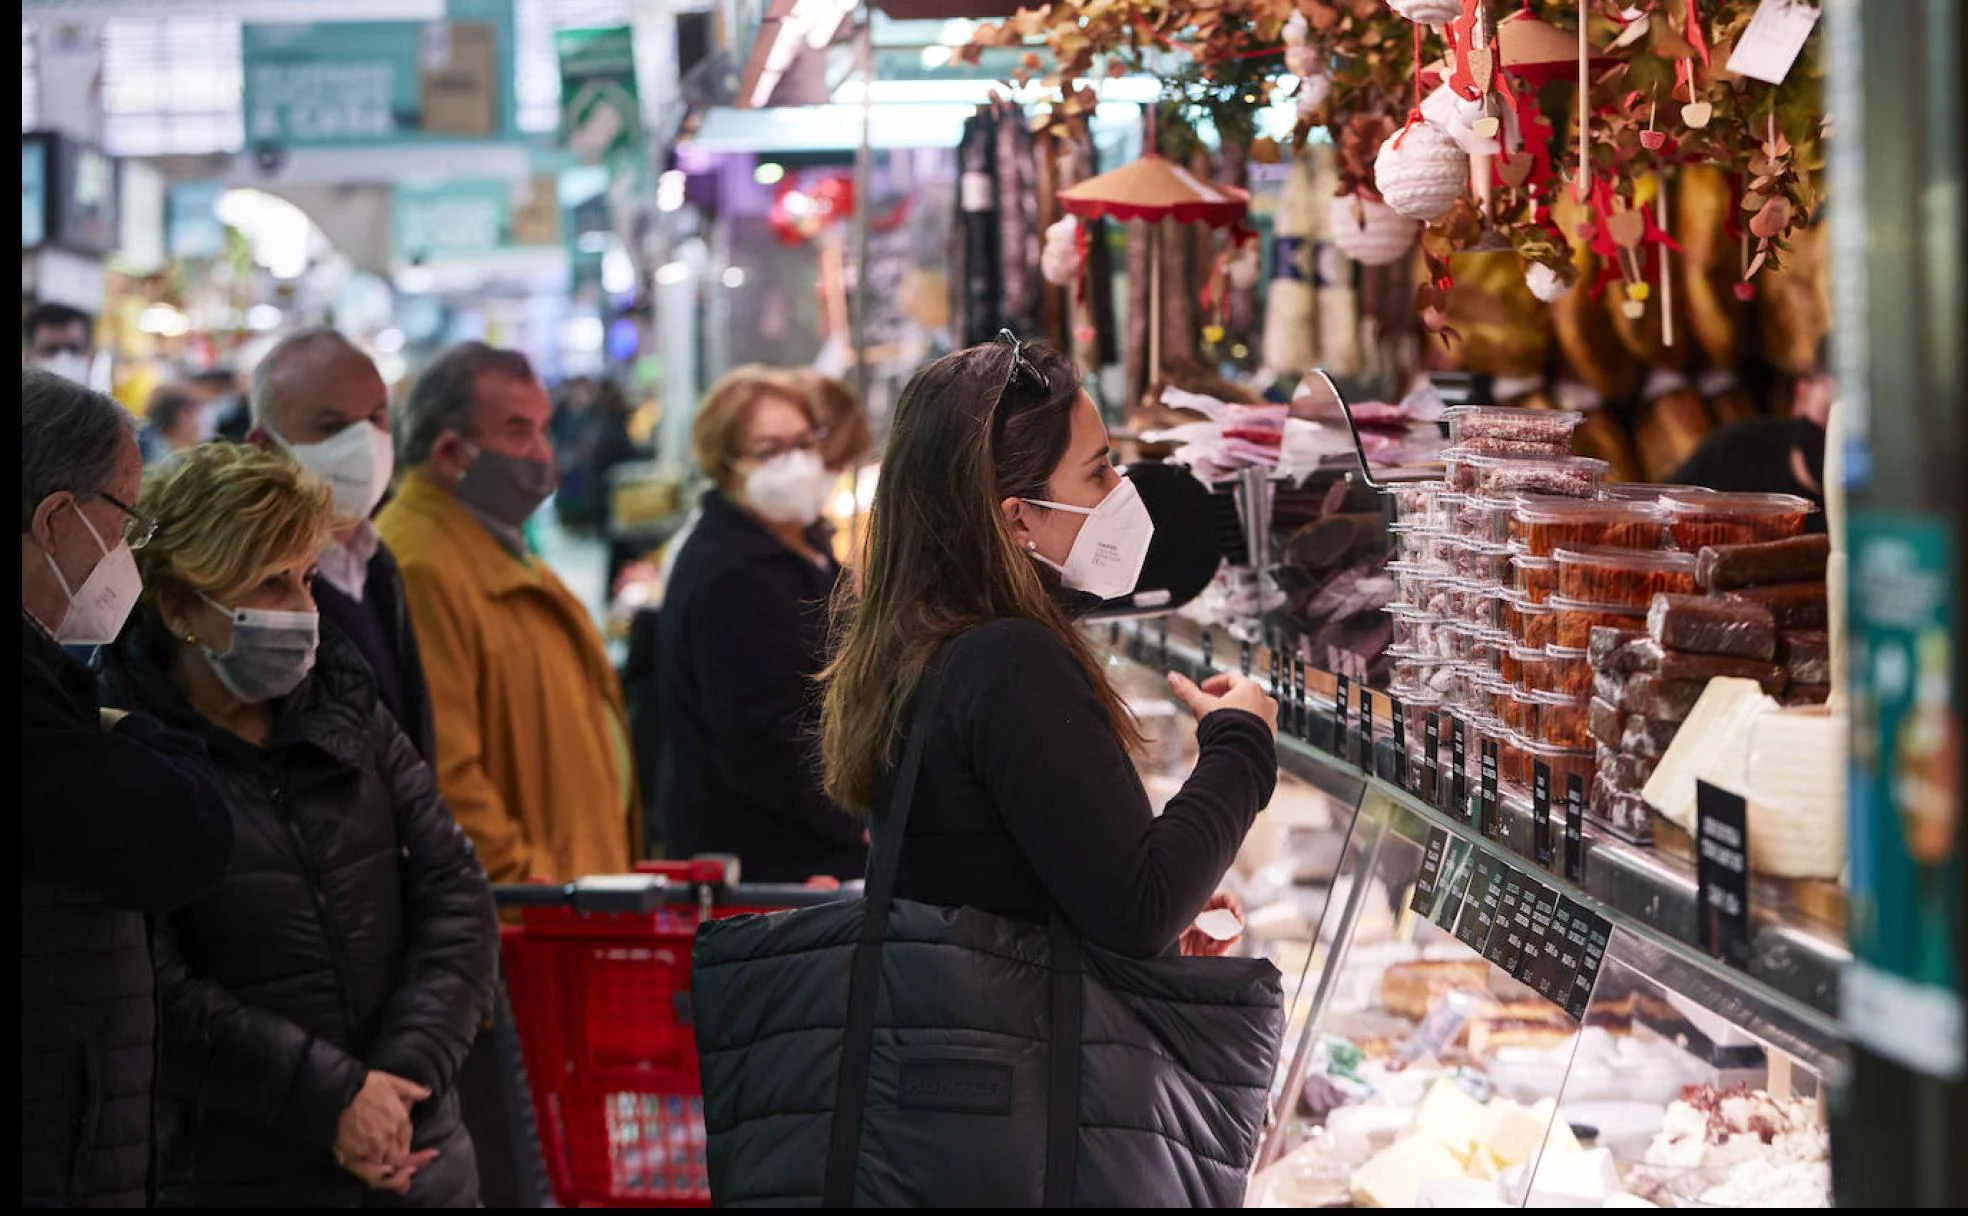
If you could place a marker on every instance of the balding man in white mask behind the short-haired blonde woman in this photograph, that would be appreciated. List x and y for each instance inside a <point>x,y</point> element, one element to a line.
<point>324,402</point>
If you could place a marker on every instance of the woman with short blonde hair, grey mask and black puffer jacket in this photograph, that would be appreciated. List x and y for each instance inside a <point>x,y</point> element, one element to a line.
<point>318,1004</point>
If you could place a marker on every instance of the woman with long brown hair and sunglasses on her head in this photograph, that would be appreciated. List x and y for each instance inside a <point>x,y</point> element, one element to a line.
<point>1001,501</point>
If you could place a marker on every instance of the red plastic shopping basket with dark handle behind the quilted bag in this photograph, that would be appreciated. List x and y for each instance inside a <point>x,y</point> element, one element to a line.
<point>601,995</point>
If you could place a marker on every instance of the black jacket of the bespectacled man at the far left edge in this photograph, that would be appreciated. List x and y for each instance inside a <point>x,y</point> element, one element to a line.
<point>115,825</point>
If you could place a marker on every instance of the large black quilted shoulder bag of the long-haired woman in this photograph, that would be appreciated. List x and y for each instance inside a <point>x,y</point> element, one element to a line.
<point>896,1054</point>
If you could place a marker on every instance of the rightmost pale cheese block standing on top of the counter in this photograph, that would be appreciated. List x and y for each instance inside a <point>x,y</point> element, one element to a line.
<point>1796,784</point>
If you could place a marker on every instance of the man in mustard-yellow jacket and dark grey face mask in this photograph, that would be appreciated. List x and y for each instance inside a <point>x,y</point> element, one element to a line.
<point>532,749</point>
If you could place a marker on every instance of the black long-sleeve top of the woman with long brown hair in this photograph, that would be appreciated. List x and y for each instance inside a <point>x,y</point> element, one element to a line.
<point>1028,798</point>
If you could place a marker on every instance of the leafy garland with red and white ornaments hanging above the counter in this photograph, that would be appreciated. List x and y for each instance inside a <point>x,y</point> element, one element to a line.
<point>1658,97</point>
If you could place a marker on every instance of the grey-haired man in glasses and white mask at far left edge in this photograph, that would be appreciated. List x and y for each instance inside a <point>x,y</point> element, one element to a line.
<point>121,818</point>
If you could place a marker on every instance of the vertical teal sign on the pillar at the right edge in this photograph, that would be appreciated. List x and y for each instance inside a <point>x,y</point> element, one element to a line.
<point>1902,997</point>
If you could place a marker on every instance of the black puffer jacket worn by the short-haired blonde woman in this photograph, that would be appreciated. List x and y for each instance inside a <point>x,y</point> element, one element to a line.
<point>355,932</point>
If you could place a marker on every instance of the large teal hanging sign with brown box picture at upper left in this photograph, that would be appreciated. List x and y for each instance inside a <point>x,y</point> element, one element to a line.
<point>341,84</point>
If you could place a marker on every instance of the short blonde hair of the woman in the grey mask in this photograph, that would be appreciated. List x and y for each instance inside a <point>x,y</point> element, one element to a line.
<point>227,517</point>
